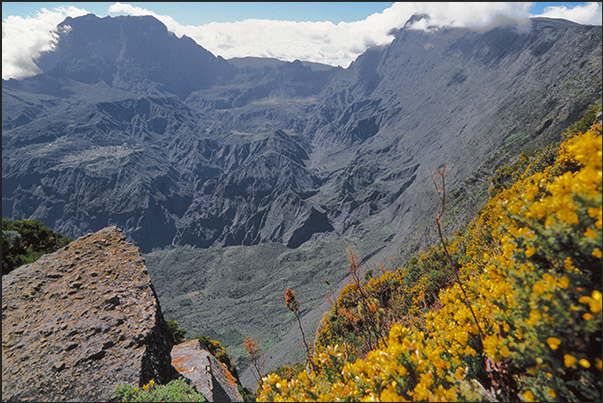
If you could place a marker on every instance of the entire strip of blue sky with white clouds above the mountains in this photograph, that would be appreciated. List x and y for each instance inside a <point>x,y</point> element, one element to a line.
<point>333,33</point>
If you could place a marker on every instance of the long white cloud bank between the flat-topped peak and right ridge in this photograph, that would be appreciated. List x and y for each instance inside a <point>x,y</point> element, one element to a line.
<point>326,42</point>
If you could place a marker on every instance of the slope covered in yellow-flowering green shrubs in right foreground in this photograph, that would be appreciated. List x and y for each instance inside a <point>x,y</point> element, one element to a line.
<point>527,327</point>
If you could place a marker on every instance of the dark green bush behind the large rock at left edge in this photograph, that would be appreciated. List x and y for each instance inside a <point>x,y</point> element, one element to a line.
<point>25,241</point>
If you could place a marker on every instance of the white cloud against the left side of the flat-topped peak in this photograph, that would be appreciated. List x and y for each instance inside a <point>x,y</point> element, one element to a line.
<point>25,39</point>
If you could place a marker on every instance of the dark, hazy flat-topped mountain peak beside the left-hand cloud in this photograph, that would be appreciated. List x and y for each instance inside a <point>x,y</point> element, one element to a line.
<point>125,51</point>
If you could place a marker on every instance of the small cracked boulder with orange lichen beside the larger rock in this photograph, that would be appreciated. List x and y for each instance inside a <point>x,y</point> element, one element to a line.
<point>210,377</point>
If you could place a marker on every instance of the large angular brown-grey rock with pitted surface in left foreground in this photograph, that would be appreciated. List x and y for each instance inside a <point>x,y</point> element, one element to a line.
<point>78,322</point>
